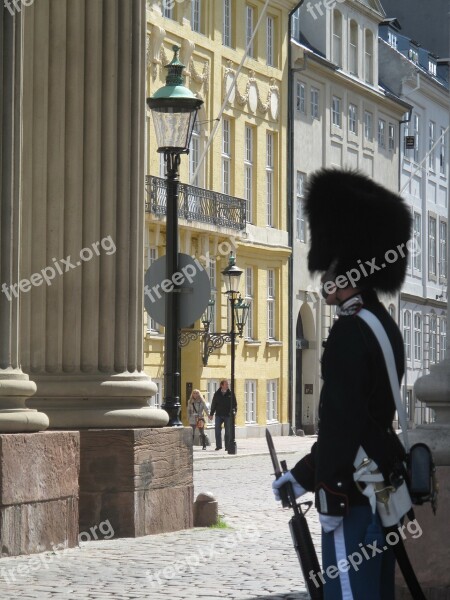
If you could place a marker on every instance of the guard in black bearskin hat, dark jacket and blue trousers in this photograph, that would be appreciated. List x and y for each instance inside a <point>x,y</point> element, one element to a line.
<point>359,234</point>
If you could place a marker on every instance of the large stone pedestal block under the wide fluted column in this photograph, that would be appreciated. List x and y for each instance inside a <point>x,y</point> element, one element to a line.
<point>140,480</point>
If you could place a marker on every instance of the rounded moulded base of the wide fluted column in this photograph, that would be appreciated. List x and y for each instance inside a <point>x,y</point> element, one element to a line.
<point>77,401</point>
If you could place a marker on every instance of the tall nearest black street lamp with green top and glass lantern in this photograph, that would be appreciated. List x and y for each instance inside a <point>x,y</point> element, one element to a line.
<point>174,109</point>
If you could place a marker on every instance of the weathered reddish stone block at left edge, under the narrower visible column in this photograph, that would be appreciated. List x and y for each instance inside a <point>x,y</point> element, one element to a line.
<point>38,492</point>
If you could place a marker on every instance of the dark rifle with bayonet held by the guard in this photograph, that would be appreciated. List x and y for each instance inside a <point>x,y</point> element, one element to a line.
<point>298,526</point>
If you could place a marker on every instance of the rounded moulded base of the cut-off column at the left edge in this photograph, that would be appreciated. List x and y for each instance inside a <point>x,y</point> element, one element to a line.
<point>15,417</point>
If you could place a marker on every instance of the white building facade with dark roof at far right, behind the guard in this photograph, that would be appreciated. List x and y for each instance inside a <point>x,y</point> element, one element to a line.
<point>415,75</point>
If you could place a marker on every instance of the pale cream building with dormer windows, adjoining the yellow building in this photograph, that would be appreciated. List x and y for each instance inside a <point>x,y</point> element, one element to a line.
<point>342,117</point>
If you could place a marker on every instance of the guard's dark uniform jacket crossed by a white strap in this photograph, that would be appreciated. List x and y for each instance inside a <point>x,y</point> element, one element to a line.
<point>356,408</point>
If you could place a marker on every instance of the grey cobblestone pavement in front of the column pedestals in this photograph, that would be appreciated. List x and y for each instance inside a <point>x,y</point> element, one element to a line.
<point>251,559</point>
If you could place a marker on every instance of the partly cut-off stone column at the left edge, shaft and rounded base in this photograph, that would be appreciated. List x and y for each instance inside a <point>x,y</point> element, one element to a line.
<point>15,386</point>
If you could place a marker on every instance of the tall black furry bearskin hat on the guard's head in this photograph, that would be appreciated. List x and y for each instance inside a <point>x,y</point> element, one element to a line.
<point>358,224</point>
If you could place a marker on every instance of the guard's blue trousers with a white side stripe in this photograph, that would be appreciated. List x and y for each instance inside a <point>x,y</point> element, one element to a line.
<point>366,571</point>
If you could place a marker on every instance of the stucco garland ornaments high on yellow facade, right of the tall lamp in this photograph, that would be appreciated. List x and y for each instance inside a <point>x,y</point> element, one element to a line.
<point>252,95</point>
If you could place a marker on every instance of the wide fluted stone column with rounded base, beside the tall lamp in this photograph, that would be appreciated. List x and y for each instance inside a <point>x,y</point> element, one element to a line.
<point>83,226</point>
